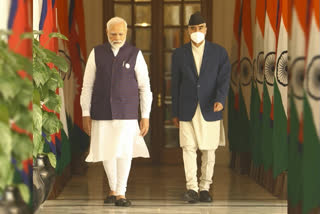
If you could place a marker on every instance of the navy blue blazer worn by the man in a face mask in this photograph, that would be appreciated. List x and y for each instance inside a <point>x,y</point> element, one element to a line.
<point>212,85</point>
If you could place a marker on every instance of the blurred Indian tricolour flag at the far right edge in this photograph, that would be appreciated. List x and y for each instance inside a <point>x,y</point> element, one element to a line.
<point>311,113</point>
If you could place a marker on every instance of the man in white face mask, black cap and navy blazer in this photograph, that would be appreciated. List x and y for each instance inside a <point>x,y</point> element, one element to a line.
<point>200,83</point>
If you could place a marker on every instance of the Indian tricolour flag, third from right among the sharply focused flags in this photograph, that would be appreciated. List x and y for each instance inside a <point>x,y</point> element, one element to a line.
<point>257,89</point>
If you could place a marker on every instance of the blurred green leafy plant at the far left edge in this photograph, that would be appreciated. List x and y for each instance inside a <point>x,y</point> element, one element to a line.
<point>15,114</point>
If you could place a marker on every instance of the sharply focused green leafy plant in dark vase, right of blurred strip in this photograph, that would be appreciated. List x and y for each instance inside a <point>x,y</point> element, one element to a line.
<point>46,80</point>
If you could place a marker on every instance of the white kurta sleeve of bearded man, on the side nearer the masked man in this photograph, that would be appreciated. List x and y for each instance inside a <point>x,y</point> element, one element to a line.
<point>145,94</point>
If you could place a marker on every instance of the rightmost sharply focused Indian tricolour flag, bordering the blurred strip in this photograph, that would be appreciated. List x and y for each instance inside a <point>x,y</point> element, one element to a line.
<point>280,145</point>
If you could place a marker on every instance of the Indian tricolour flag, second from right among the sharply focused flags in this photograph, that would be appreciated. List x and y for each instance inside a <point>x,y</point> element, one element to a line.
<point>269,68</point>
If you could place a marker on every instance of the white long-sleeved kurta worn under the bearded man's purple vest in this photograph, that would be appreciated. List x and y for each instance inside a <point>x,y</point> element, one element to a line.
<point>116,138</point>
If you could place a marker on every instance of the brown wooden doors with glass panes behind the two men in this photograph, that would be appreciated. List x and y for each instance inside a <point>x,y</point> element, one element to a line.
<point>157,27</point>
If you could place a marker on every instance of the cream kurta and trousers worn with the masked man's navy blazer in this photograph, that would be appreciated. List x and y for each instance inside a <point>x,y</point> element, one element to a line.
<point>203,135</point>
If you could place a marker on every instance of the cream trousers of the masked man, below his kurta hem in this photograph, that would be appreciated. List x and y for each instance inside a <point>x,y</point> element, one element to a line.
<point>190,168</point>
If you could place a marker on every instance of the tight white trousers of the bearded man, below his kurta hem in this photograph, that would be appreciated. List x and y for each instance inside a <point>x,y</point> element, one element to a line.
<point>117,171</point>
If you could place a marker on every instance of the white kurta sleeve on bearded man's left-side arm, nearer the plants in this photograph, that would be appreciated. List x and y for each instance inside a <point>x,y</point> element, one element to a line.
<point>87,87</point>
